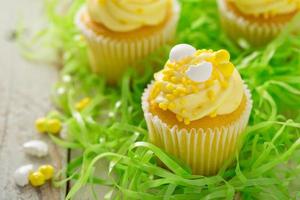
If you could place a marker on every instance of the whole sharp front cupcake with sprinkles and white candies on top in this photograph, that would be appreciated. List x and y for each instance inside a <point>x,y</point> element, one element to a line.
<point>197,108</point>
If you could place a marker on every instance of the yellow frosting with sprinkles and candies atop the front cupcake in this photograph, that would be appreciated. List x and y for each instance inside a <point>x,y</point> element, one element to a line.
<point>197,83</point>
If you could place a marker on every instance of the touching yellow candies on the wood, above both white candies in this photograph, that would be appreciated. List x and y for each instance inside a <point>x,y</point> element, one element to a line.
<point>48,125</point>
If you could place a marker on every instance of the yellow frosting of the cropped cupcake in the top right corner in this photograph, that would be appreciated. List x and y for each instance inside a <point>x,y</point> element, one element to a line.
<point>267,7</point>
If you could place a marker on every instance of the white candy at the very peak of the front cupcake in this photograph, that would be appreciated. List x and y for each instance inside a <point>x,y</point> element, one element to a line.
<point>180,51</point>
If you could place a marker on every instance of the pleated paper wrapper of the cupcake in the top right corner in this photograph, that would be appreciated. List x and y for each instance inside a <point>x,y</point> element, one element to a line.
<point>237,27</point>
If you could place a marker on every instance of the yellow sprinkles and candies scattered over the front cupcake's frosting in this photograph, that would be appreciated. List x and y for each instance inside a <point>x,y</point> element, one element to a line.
<point>177,84</point>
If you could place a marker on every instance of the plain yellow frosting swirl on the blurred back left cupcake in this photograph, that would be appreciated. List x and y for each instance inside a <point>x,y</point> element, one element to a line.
<point>128,15</point>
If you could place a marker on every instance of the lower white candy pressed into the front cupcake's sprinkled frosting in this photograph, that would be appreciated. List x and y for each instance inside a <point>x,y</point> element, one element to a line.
<point>200,72</point>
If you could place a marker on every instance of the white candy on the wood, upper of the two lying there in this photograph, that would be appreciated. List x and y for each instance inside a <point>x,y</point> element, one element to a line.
<point>36,148</point>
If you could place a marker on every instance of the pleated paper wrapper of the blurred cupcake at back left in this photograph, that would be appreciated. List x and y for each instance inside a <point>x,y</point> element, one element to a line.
<point>111,56</point>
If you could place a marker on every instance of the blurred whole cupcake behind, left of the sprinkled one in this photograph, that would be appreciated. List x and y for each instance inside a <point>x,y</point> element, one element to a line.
<point>121,33</point>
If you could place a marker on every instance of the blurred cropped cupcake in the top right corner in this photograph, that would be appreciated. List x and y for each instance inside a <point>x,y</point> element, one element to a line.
<point>256,21</point>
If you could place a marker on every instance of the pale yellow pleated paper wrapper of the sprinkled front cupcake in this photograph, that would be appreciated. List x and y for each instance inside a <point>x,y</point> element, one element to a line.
<point>205,151</point>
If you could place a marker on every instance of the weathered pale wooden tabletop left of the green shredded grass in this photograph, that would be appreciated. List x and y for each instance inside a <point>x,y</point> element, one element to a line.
<point>24,96</point>
